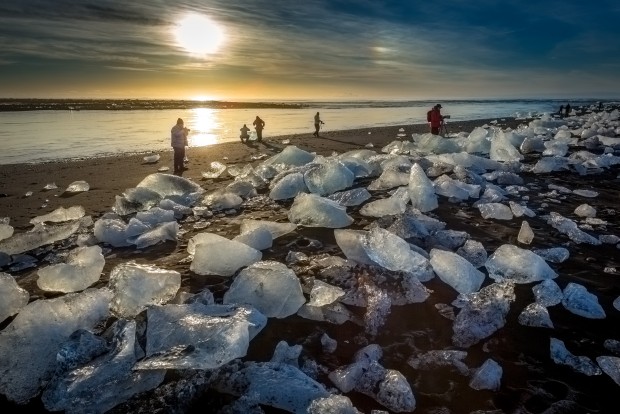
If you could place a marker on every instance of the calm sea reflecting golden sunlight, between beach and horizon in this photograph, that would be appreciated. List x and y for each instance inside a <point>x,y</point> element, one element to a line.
<point>30,134</point>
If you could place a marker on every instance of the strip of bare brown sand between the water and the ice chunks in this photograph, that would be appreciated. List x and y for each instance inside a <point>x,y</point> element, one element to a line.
<point>109,176</point>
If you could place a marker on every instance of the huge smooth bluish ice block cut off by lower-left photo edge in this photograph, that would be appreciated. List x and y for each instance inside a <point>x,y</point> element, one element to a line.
<point>29,345</point>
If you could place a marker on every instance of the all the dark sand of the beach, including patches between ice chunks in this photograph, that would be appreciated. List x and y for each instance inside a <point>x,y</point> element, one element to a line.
<point>531,381</point>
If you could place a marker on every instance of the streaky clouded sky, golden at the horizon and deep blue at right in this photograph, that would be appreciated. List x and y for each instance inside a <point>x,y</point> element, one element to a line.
<point>309,49</point>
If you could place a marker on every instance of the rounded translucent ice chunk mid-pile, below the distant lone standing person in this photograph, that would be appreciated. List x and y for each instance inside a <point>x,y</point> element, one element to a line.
<point>328,177</point>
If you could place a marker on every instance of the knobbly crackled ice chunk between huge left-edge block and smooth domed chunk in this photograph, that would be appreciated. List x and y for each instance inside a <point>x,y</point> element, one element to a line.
<point>138,286</point>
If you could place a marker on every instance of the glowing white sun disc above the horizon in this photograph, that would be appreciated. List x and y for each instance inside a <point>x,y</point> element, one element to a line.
<point>198,34</point>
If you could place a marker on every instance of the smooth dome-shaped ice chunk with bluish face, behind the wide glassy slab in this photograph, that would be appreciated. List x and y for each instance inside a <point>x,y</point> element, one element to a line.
<point>270,287</point>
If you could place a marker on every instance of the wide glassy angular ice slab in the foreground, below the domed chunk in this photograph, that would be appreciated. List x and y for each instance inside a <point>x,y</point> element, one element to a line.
<point>198,336</point>
